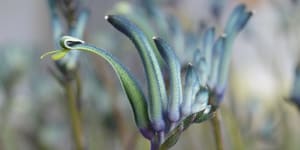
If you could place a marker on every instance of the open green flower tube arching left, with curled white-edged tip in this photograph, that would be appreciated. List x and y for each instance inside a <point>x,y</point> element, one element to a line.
<point>130,85</point>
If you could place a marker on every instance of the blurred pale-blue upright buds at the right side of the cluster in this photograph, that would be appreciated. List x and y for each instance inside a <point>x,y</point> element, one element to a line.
<point>213,59</point>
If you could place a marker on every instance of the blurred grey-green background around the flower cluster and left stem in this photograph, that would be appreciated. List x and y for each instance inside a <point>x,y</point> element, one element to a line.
<point>257,112</point>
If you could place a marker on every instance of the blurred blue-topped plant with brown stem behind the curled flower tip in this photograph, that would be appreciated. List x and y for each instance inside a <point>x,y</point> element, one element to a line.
<point>75,18</point>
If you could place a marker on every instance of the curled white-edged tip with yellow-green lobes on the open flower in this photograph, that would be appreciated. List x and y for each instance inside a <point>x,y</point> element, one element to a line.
<point>66,42</point>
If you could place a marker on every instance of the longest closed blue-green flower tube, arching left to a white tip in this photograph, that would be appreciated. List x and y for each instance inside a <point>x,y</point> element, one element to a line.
<point>157,92</point>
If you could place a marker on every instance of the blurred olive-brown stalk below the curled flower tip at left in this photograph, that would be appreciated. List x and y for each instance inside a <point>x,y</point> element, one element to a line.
<point>74,116</point>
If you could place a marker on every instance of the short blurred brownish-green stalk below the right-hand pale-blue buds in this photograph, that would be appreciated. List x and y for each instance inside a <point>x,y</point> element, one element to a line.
<point>216,125</point>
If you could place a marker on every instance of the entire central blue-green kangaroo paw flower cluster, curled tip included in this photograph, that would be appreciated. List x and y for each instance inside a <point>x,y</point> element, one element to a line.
<point>170,107</point>
